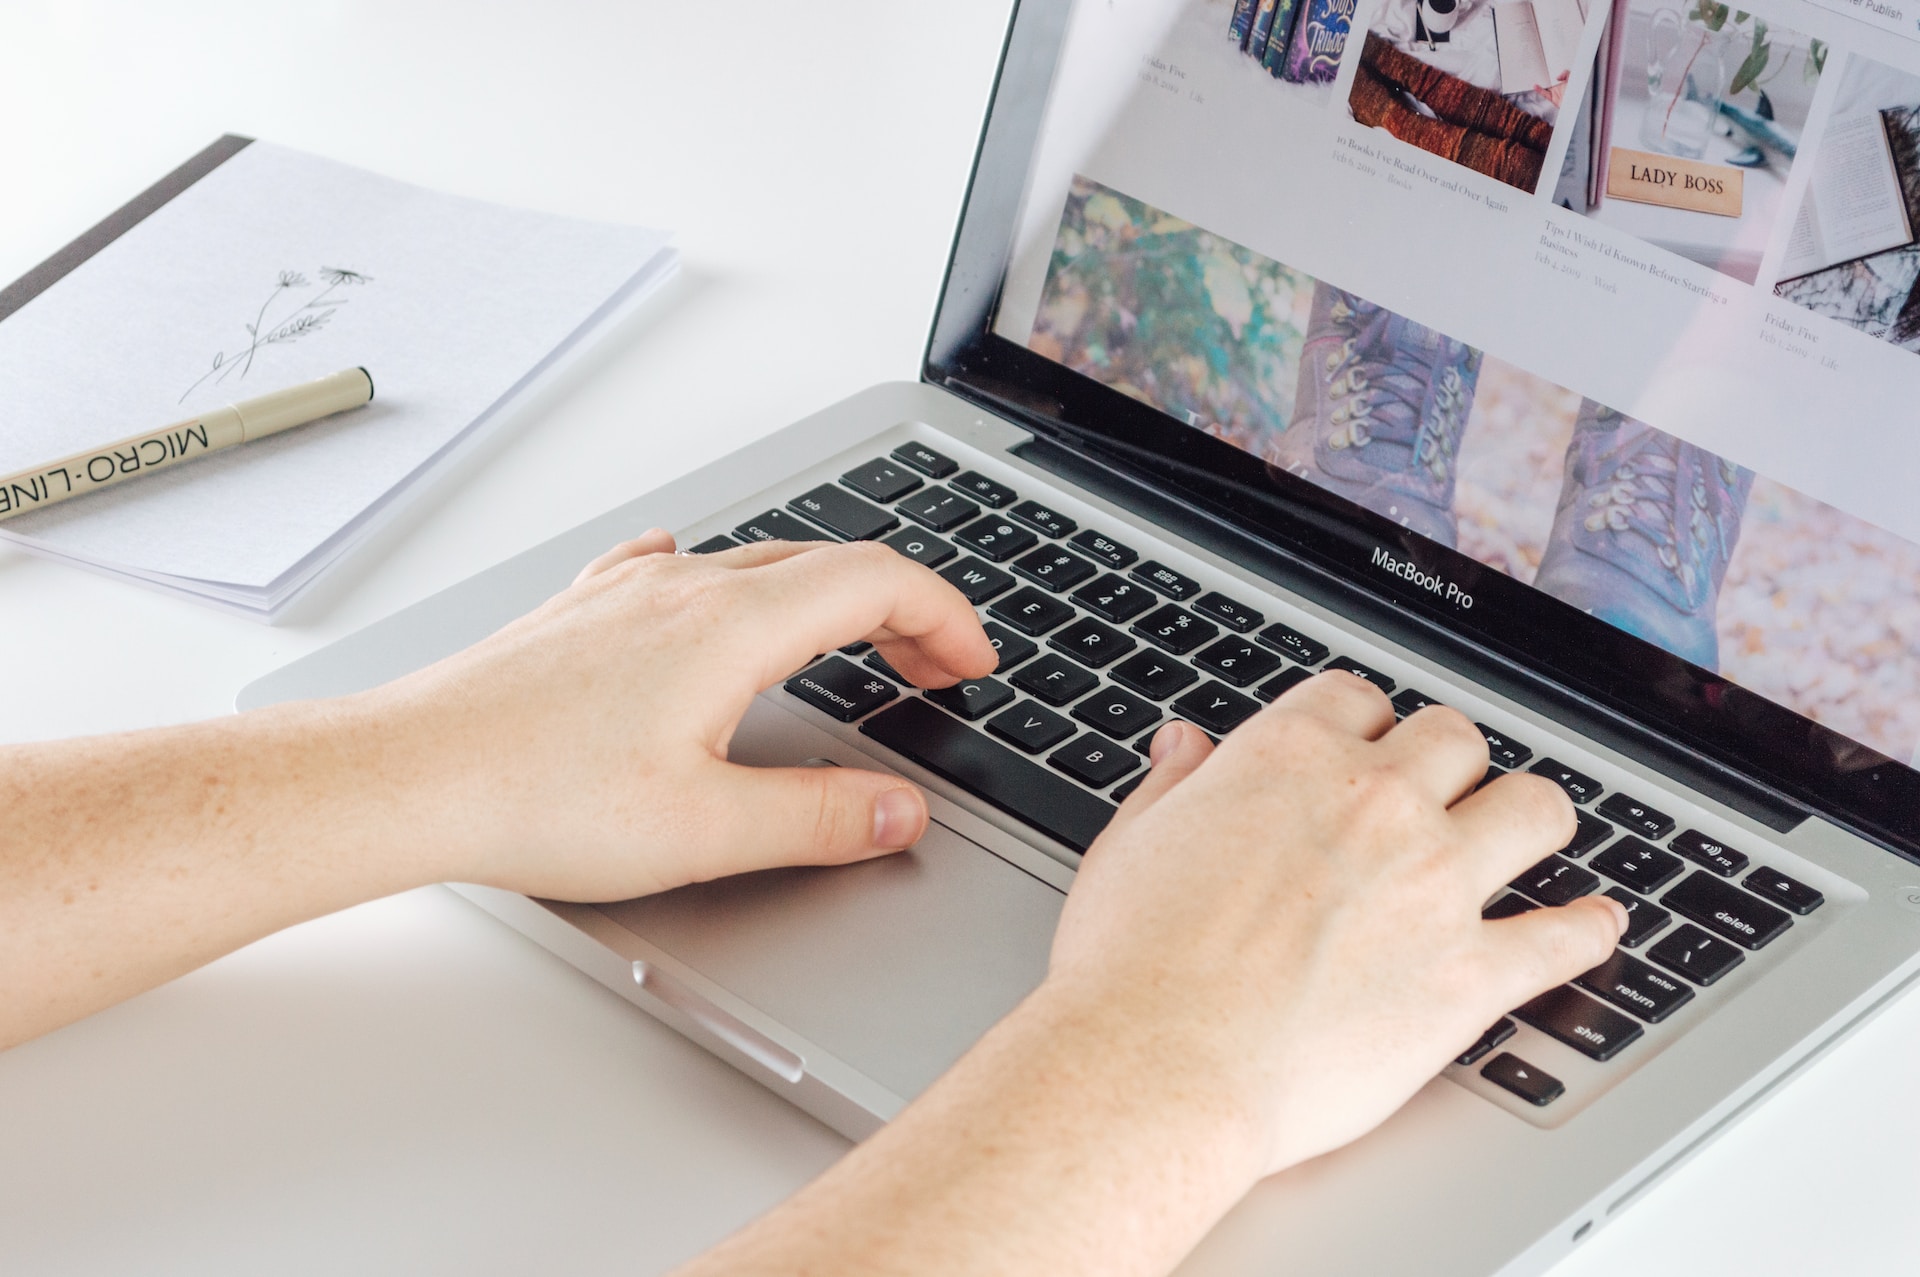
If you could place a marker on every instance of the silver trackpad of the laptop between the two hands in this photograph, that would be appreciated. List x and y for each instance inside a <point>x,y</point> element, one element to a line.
<point>896,965</point>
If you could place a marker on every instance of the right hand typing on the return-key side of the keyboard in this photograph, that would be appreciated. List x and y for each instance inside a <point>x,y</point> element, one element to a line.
<point>1297,913</point>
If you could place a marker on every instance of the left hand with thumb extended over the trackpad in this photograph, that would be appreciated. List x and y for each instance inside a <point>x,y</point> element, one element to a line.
<point>581,754</point>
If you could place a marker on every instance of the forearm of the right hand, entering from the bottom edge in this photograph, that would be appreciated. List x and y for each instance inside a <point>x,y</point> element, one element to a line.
<point>1059,1145</point>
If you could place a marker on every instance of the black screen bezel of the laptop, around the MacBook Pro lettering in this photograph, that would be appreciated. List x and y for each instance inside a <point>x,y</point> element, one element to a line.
<point>1522,627</point>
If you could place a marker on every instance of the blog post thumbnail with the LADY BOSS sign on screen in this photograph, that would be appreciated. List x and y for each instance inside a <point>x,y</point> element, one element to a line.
<point>1691,130</point>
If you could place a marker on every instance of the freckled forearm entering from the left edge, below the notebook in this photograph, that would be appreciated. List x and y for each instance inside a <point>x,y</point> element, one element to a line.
<point>128,861</point>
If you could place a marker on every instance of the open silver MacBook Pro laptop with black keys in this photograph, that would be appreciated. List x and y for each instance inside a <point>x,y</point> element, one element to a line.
<point>1295,337</point>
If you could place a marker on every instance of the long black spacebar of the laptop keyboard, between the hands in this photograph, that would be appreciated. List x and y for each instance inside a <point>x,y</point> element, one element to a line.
<point>994,773</point>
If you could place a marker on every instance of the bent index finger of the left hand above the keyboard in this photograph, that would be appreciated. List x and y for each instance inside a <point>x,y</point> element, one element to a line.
<point>815,602</point>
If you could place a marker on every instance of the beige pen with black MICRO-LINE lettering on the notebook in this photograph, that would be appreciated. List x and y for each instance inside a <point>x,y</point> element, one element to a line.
<point>156,450</point>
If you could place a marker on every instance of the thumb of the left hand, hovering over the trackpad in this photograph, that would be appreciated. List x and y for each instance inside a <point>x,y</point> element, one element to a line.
<point>805,815</point>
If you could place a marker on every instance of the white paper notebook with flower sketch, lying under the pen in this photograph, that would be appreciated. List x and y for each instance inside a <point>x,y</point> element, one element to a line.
<point>274,270</point>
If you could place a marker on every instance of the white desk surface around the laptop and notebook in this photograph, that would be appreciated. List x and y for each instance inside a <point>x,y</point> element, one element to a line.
<point>410,1088</point>
